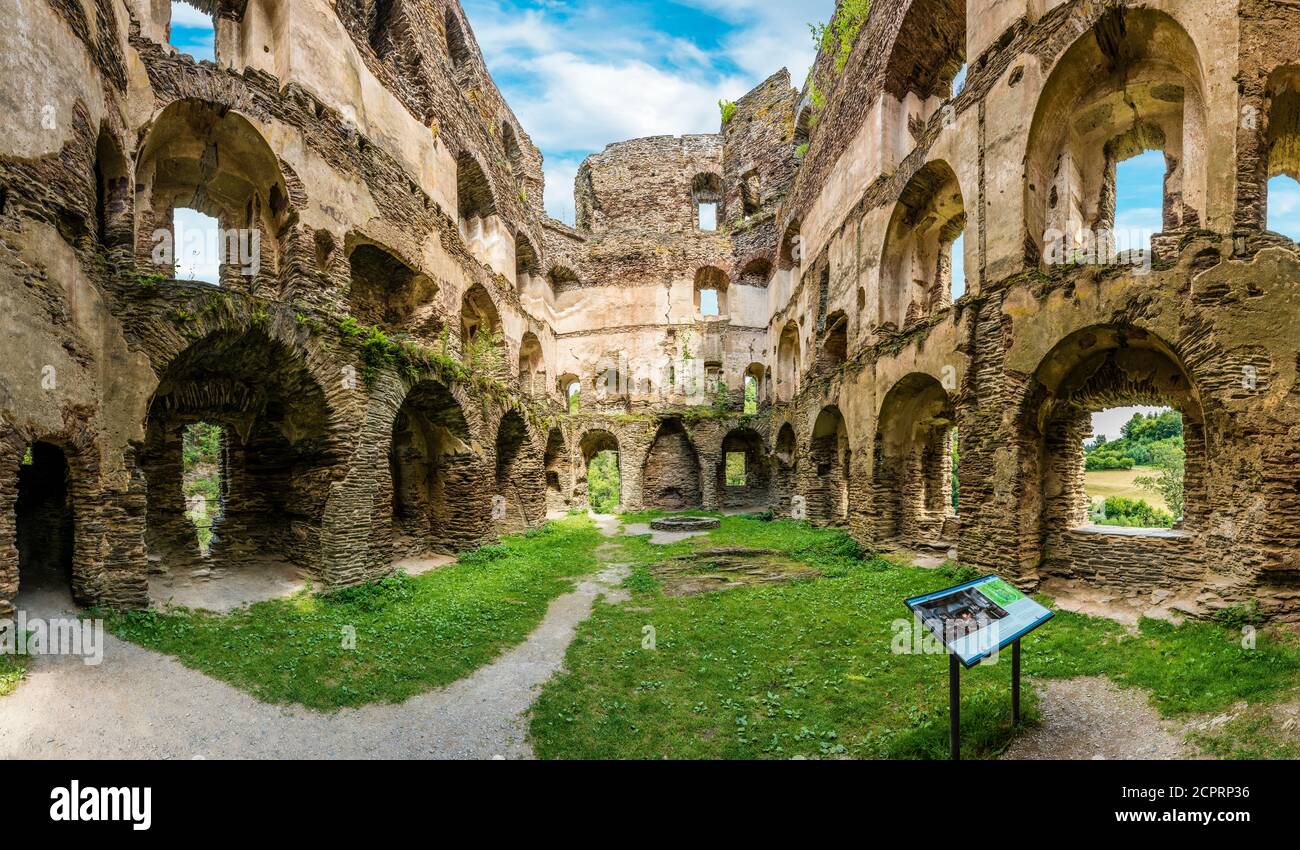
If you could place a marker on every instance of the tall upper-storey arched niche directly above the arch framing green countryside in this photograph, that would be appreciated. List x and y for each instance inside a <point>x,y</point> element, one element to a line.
<point>1139,80</point>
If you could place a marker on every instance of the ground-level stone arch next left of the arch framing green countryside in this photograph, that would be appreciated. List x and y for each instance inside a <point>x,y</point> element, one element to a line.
<point>912,470</point>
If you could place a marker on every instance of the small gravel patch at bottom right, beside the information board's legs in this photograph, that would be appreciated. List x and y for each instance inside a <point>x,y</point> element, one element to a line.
<point>1093,718</point>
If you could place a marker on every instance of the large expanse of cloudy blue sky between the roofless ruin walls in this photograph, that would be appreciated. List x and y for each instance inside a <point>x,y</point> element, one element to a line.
<point>582,76</point>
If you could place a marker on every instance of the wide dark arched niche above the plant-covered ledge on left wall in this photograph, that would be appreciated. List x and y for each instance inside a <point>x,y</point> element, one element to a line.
<point>389,293</point>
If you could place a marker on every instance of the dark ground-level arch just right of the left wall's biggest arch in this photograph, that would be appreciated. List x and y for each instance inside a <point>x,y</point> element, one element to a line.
<point>440,483</point>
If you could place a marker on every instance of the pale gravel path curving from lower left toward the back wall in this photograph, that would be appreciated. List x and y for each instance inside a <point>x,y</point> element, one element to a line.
<point>140,704</point>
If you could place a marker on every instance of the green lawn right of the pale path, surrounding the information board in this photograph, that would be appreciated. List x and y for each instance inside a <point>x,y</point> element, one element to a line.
<point>807,669</point>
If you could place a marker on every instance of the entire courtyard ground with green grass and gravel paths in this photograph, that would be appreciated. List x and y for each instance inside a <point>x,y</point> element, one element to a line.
<point>759,640</point>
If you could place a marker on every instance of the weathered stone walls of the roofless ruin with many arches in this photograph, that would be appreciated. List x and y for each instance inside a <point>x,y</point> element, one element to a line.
<point>392,187</point>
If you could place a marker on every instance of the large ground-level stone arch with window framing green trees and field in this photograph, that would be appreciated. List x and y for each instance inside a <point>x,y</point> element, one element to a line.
<point>1067,505</point>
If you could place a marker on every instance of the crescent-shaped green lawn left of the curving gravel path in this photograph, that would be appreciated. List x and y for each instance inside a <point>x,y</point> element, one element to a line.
<point>413,634</point>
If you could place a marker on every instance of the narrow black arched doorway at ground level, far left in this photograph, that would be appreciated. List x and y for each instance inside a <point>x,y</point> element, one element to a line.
<point>45,522</point>
